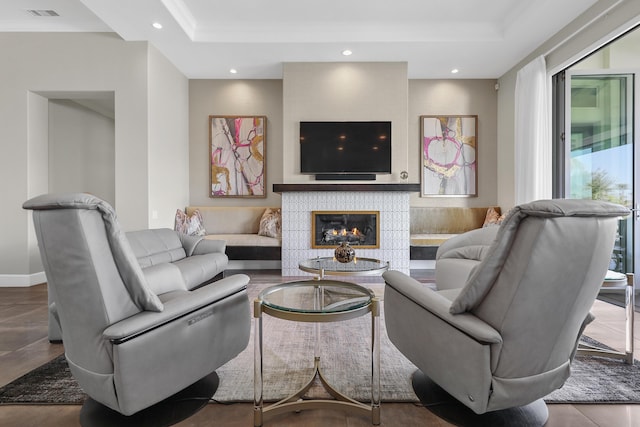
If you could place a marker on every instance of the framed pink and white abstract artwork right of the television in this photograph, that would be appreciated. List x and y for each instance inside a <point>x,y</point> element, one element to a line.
<point>448,152</point>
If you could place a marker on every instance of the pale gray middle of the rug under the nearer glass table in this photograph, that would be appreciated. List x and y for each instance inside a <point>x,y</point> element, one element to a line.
<point>345,360</point>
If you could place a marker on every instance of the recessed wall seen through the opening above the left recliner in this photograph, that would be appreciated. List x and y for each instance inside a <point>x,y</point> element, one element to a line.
<point>81,150</point>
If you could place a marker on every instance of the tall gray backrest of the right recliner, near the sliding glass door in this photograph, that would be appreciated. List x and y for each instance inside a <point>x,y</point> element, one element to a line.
<point>539,280</point>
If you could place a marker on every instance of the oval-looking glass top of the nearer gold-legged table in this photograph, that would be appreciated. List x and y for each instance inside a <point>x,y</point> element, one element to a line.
<point>316,296</point>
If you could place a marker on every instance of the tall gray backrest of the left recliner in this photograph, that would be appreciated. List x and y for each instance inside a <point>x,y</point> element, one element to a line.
<point>91,271</point>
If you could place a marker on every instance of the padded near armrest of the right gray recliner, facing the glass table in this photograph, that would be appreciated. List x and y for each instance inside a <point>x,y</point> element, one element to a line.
<point>438,305</point>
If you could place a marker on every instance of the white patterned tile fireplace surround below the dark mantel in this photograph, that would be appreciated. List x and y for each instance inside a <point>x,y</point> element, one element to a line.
<point>296,222</point>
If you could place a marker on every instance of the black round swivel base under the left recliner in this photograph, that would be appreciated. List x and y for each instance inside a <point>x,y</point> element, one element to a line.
<point>170,411</point>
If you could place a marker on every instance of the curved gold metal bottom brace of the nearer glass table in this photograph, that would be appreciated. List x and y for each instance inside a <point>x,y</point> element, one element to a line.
<point>295,402</point>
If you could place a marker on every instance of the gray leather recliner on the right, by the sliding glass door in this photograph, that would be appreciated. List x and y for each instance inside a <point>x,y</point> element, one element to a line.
<point>507,338</point>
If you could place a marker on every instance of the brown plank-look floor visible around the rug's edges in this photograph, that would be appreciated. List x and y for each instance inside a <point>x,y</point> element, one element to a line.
<point>24,346</point>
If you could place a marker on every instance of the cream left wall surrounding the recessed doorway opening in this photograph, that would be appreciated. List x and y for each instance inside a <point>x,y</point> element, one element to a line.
<point>48,62</point>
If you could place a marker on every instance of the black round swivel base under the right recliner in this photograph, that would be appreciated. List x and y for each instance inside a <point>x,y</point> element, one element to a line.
<point>439,402</point>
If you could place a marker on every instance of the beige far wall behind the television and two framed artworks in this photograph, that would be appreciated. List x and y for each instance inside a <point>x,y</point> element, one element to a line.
<point>325,92</point>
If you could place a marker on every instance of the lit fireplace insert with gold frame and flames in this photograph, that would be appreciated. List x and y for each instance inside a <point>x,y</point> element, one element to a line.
<point>358,228</point>
